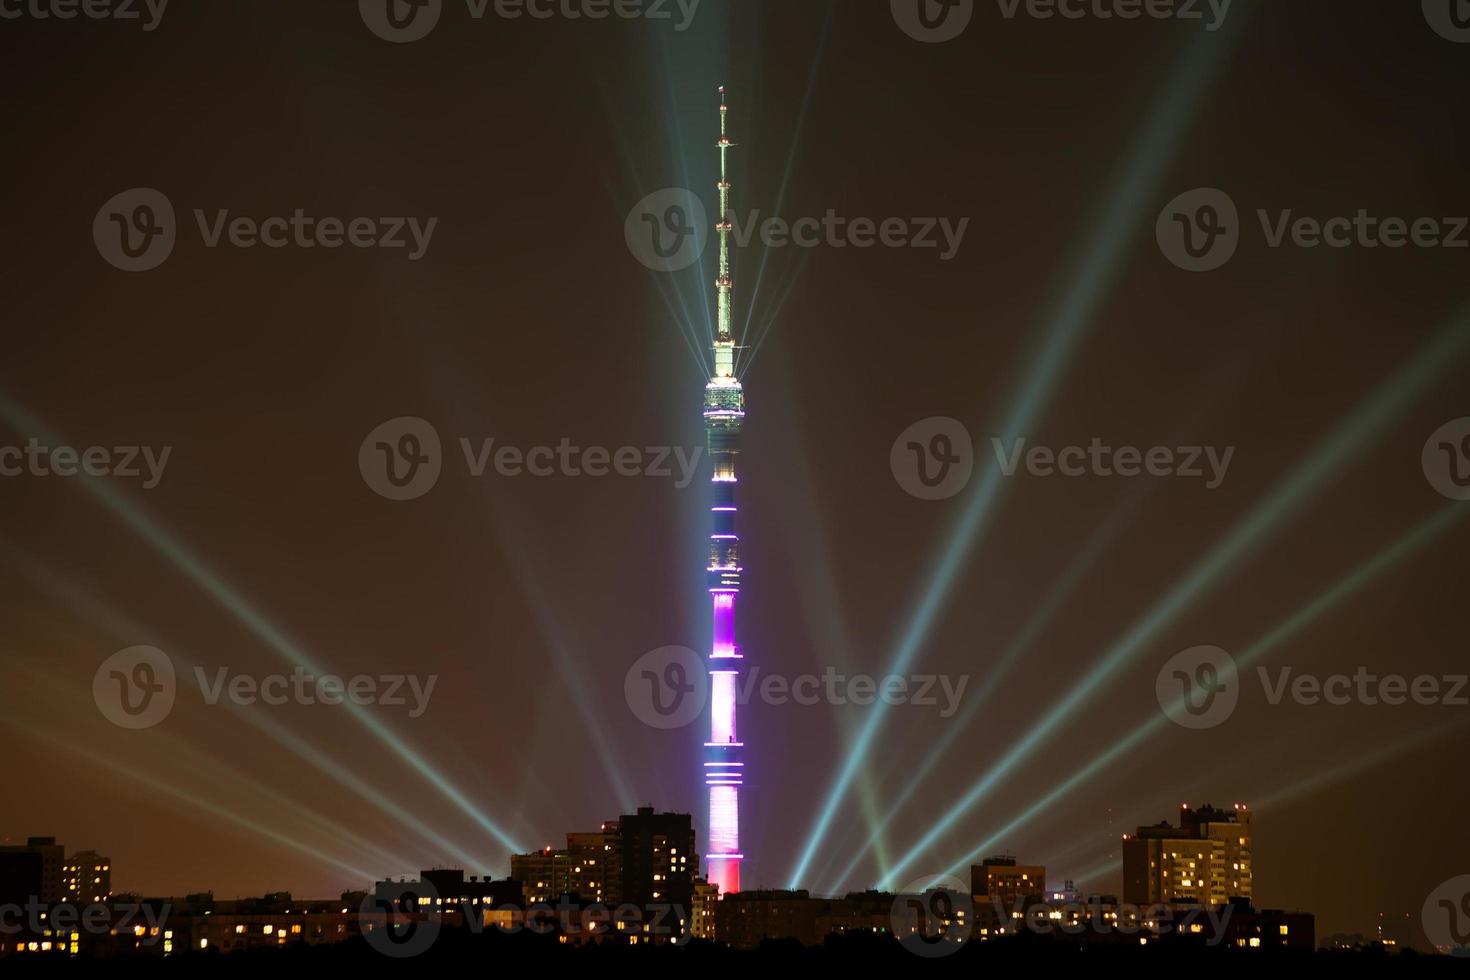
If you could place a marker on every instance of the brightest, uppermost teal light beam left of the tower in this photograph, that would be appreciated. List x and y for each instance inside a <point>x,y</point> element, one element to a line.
<point>204,577</point>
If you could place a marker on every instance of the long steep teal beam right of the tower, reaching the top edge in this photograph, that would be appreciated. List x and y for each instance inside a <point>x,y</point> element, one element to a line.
<point>1096,270</point>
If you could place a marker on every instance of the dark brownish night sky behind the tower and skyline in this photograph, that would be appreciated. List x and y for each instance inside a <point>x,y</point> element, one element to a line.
<point>528,321</point>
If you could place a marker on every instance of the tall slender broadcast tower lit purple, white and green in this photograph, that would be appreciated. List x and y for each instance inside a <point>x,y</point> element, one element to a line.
<point>724,412</point>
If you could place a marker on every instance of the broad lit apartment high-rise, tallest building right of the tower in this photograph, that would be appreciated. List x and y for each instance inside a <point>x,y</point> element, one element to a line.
<point>1205,862</point>
